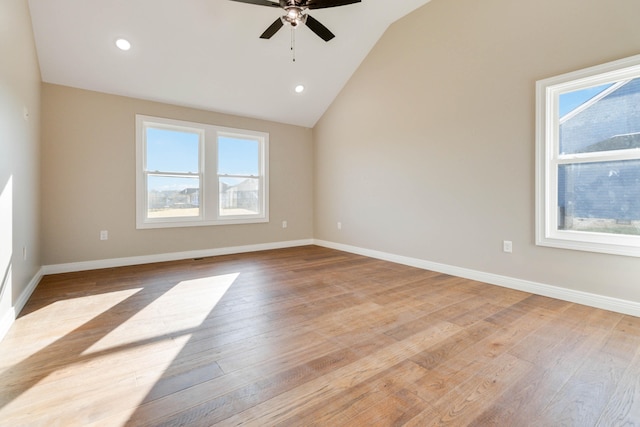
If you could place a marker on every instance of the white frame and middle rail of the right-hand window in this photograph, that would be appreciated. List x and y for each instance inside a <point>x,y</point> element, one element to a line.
<point>548,158</point>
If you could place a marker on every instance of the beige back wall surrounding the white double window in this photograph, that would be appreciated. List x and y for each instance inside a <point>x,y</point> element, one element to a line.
<point>89,180</point>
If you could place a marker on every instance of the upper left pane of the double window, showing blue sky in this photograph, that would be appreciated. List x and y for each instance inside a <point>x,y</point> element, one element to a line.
<point>172,151</point>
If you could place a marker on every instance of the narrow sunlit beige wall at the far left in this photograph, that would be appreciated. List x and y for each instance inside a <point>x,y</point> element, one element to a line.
<point>19,155</point>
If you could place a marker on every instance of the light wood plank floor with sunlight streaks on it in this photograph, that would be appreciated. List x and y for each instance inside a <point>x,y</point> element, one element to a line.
<point>311,336</point>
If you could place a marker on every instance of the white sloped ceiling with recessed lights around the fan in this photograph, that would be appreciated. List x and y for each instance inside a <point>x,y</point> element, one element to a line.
<point>207,53</point>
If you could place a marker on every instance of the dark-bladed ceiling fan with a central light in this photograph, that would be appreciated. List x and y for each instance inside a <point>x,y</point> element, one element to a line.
<point>296,13</point>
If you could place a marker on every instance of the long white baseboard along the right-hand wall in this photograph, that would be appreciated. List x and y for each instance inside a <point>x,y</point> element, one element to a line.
<point>585,298</point>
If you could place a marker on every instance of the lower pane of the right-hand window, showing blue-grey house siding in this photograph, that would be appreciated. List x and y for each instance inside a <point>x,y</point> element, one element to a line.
<point>600,197</point>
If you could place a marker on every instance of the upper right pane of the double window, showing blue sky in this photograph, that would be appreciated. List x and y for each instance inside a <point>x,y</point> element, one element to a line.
<point>238,156</point>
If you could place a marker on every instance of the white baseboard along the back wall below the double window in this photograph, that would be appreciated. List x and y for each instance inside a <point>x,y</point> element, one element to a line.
<point>175,256</point>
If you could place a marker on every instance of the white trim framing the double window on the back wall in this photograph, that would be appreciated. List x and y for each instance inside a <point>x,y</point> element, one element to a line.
<point>209,212</point>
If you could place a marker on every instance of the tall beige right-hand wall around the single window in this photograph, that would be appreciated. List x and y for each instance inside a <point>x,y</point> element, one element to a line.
<point>428,152</point>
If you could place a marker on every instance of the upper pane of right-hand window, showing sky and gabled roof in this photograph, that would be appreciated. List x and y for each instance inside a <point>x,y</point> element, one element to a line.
<point>593,123</point>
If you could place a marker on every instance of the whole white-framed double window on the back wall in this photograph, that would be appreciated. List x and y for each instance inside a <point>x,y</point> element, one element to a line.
<point>196,174</point>
